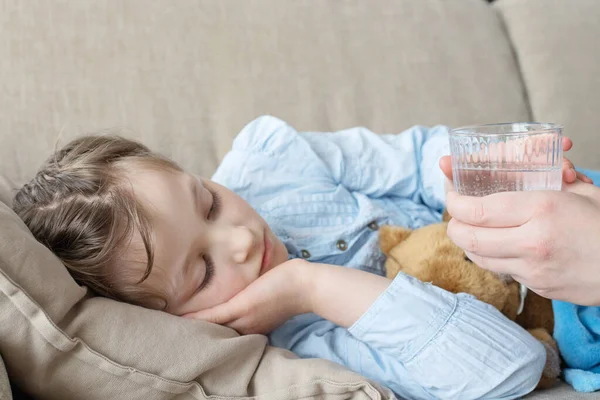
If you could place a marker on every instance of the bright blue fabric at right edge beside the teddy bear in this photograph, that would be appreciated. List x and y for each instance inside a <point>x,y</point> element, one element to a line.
<point>577,333</point>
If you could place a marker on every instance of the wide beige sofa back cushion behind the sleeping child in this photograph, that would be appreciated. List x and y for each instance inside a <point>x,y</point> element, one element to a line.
<point>185,76</point>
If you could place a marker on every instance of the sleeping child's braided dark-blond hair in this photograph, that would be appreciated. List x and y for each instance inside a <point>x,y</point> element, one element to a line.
<point>81,206</point>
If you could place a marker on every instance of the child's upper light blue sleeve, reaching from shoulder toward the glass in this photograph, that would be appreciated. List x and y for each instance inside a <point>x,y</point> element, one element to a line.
<point>402,165</point>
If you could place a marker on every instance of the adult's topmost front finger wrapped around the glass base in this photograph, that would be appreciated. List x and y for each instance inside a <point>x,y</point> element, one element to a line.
<point>498,210</point>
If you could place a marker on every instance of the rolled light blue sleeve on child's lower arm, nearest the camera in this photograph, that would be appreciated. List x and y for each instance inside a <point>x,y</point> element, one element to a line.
<point>425,343</point>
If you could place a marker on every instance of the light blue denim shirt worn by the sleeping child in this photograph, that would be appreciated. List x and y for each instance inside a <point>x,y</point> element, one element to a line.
<point>324,195</point>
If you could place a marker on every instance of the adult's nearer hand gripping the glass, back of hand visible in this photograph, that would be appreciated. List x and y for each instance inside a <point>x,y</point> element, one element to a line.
<point>547,240</point>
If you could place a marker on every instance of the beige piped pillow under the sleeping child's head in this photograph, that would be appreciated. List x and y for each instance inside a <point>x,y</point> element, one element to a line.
<point>58,342</point>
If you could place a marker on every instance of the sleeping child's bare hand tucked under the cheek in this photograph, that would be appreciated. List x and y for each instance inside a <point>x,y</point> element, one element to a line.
<point>266,303</point>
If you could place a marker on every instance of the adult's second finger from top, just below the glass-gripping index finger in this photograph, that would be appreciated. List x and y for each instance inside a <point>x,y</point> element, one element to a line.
<point>488,242</point>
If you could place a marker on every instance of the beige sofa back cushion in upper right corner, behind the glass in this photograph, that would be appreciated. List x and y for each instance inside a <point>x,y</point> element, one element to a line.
<point>556,43</point>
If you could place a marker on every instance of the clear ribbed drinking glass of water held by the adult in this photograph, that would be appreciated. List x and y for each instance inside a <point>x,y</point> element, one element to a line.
<point>495,158</point>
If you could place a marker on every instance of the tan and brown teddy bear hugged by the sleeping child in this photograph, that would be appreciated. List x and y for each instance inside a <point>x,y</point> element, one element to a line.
<point>429,255</point>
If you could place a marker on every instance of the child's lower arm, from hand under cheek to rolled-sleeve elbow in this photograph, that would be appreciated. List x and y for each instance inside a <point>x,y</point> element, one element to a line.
<point>419,340</point>
